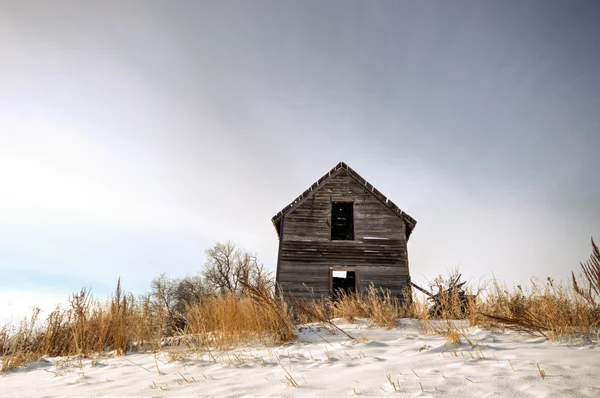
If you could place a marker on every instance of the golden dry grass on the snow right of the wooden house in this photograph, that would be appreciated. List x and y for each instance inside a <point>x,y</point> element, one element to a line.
<point>553,310</point>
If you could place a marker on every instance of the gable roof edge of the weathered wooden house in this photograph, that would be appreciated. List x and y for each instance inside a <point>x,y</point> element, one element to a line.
<point>409,221</point>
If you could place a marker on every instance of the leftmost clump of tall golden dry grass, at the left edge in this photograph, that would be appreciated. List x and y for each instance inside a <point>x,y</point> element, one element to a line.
<point>85,328</point>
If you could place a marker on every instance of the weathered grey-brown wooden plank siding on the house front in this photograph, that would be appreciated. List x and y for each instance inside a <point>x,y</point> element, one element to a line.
<point>306,252</point>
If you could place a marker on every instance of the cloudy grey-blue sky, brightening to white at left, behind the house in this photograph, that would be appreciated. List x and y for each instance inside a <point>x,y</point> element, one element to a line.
<point>135,135</point>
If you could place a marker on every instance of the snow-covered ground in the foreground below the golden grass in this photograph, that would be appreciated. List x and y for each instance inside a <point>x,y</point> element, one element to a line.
<point>401,362</point>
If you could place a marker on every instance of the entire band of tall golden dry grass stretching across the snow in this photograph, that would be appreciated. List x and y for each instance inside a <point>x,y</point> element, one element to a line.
<point>122,323</point>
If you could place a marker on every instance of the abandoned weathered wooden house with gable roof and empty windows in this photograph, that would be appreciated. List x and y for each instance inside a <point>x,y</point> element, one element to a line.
<point>342,234</point>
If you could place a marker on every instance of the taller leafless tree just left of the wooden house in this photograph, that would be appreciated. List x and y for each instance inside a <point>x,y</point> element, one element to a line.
<point>229,270</point>
